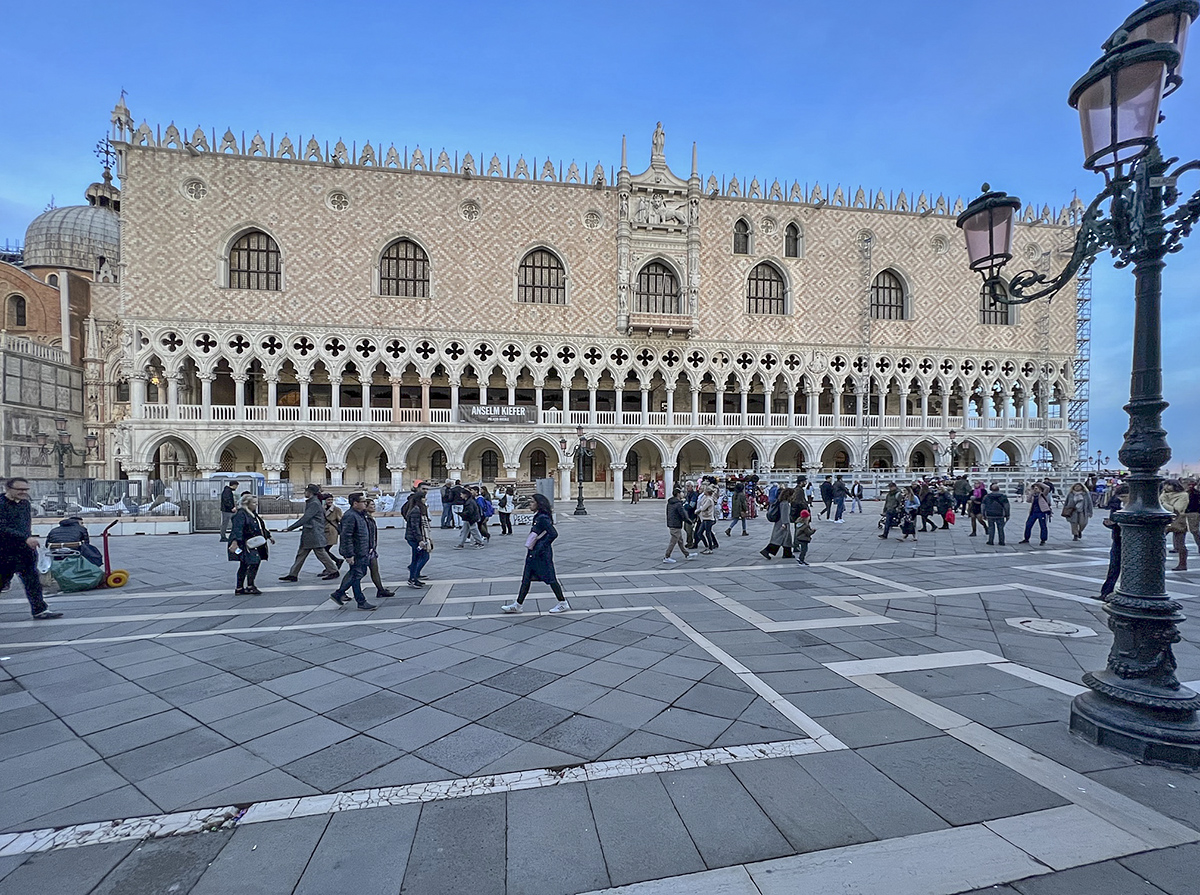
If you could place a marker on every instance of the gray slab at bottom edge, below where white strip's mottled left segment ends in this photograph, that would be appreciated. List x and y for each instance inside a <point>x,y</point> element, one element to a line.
<point>263,858</point>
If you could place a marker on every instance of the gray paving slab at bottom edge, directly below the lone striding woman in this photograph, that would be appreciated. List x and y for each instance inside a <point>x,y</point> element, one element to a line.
<point>553,846</point>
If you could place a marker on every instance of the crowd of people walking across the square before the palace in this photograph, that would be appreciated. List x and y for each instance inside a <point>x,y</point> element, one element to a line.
<point>351,539</point>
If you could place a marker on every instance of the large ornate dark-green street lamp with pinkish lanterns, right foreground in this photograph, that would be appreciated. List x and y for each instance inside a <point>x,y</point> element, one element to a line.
<point>1137,705</point>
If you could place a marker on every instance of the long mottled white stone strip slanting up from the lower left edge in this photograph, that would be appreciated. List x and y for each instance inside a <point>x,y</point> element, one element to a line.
<point>178,824</point>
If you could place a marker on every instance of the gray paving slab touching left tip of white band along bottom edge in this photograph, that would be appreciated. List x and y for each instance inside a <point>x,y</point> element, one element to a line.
<point>625,809</point>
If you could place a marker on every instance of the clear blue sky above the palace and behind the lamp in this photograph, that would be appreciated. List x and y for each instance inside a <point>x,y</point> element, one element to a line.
<point>937,97</point>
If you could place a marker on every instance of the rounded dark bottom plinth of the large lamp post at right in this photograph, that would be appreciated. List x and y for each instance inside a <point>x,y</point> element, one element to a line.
<point>1148,735</point>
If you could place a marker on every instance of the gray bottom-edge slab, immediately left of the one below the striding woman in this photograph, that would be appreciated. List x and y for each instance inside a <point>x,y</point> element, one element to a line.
<point>459,846</point>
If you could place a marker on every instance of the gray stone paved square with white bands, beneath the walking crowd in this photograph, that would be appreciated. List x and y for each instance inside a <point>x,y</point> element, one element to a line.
<point>729,716</point>
